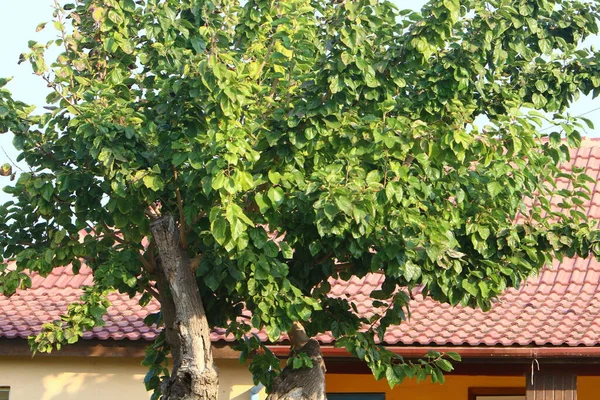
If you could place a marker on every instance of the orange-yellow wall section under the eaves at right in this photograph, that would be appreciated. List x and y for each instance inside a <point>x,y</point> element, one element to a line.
<point>455,387</point>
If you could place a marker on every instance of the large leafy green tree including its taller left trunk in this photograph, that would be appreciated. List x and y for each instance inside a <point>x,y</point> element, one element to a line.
<point>230,157</point>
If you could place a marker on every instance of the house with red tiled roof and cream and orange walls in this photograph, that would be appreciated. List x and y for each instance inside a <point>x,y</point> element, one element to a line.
<point>539,342</point>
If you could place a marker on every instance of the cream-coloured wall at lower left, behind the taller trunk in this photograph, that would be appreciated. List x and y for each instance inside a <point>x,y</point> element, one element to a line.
<point>94,378</point>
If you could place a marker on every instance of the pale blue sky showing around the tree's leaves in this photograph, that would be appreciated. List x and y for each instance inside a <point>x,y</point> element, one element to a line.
<point>18,22</point>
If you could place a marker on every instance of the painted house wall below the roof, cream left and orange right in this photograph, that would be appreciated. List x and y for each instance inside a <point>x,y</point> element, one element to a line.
<point>94,378</point>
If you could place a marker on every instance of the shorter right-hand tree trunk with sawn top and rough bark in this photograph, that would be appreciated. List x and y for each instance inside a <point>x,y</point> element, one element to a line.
<point>303,383</point>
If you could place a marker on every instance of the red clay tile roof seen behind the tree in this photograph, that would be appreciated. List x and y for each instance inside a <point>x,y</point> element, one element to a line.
<point>559,307</point>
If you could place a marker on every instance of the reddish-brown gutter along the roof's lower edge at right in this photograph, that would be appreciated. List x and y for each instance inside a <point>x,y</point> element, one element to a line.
<point>465,351</point>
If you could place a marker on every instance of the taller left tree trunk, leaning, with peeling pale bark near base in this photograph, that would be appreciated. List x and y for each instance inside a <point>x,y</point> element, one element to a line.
<point>194,374</point>
